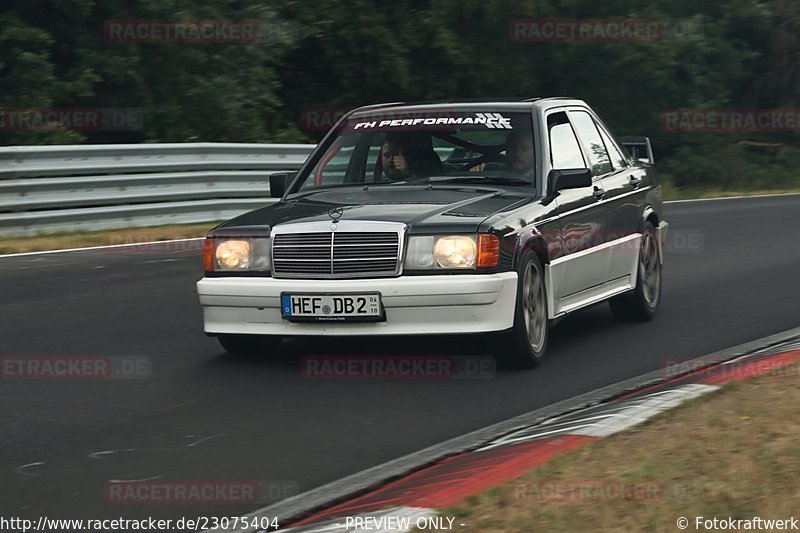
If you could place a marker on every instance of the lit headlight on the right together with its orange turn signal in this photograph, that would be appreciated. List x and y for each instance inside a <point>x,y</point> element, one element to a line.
<point>452,252</point>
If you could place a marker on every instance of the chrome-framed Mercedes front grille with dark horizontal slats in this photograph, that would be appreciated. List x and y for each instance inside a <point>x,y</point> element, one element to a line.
<point>335,254</point>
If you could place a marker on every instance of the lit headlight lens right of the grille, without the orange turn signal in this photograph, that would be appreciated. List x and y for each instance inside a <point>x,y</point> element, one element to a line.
<point>445,252</point>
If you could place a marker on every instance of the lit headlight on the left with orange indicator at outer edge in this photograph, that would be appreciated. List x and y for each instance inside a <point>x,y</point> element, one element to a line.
<point>236,254</point>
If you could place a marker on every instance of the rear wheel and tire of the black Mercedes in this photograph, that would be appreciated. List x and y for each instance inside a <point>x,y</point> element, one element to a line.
<point>641,304</point>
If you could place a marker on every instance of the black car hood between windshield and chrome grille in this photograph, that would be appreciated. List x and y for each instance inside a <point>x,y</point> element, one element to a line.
<point>424,209</point>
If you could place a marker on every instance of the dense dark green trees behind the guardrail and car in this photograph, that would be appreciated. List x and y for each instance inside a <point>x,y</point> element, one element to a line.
<point>737,54</point>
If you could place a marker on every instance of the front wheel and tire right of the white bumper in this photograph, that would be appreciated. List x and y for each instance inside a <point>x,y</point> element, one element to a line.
<point>524,346</point>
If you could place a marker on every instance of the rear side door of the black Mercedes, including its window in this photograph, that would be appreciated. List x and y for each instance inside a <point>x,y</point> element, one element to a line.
<point>619,239</point>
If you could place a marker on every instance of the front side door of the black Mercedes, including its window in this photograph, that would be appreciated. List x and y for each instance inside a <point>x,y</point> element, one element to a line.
<point>581,223</point>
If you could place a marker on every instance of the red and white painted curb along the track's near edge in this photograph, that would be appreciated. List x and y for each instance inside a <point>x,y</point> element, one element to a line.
<point>412,501</point>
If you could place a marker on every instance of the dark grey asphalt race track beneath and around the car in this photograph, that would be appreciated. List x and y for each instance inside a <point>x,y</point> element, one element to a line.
<point>732,274</point>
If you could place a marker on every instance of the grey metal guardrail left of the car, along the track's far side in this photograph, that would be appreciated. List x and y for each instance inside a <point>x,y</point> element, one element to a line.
<point>46,189</point>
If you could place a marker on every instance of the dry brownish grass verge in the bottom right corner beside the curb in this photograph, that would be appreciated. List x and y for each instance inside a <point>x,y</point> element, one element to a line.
<point>733,453</point>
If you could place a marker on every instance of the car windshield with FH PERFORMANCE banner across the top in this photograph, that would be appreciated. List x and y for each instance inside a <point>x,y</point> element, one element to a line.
<point>437,147</point>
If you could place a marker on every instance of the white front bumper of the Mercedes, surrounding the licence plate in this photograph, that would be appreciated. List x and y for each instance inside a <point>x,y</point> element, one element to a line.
<point>414,304</point>
